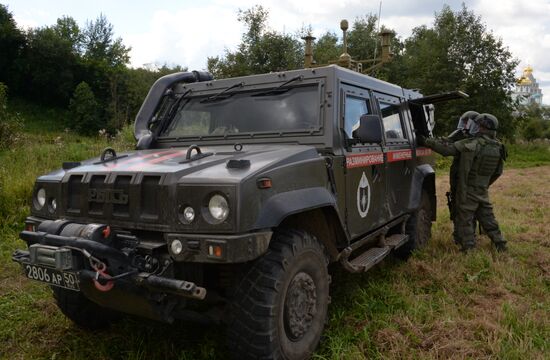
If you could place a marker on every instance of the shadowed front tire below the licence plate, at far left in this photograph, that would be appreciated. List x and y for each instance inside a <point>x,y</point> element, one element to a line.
<point>83,312</point>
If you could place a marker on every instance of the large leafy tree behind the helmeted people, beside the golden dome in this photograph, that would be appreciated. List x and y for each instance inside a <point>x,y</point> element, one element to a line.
<point>459,53</point>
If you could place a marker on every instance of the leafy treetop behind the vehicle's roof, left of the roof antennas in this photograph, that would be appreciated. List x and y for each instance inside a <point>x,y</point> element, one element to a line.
<point>260,51</point>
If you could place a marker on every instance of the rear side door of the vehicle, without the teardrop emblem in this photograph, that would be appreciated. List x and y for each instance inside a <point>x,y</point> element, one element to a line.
<point>398,152</point>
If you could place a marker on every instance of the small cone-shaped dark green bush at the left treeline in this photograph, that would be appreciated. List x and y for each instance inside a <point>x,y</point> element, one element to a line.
<point>84,111</point>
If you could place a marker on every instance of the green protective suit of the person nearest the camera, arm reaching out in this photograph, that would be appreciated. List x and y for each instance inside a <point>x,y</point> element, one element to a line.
<point>480,163</point>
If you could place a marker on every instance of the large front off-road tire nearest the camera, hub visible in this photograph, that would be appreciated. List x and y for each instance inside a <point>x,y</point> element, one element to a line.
<point>280,305</point>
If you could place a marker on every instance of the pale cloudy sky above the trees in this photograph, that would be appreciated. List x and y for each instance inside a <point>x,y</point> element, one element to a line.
<point>185,32</point>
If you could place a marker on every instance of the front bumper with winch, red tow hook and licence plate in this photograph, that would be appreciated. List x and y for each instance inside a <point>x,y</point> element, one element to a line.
<point>125,273</point>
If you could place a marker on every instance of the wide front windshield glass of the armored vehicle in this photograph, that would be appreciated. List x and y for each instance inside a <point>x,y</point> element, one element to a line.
<point>295,109</point>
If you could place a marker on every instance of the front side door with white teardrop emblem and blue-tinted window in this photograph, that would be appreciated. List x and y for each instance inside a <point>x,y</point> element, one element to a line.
<point>364,167</point>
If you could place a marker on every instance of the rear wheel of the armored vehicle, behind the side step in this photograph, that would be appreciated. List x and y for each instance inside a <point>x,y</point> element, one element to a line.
<point>418,227</point>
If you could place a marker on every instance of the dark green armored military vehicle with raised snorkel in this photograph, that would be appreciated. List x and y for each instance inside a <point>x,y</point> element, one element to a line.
<point>240,193</point>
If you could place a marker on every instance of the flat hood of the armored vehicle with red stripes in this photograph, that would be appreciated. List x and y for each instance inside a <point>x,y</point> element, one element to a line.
<point>217,166</point>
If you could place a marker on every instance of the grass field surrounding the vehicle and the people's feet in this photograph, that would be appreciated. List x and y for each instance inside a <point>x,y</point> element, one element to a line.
<point>439,304</point>
